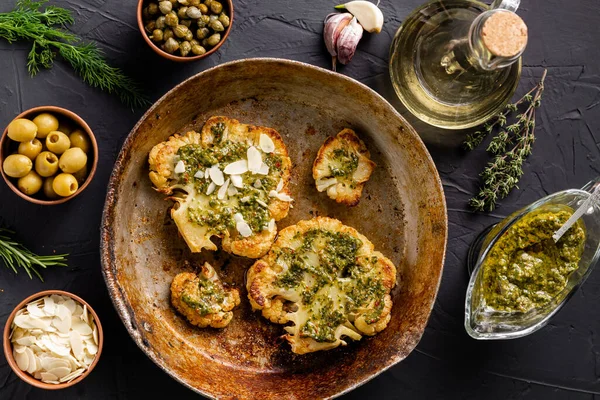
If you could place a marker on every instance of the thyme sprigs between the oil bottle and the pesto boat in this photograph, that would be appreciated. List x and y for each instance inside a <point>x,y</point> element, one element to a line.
<point>511,146</point>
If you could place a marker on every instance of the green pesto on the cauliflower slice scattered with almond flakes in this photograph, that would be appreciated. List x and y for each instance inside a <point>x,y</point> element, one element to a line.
<point>220,215</point>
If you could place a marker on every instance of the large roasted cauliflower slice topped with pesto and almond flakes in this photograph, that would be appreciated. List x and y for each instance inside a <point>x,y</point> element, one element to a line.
<point>230,181</point>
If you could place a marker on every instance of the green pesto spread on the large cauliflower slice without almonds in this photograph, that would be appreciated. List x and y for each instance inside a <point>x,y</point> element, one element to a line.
<point>338,266</point>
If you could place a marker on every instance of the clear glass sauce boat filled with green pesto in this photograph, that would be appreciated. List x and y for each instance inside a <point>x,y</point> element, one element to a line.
<point>522,277</point>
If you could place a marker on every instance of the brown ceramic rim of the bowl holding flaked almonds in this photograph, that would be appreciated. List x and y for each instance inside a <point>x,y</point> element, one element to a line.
<point>8,347</point>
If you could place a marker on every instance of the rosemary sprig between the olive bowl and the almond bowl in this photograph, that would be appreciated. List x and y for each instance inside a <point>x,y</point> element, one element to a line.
<point>16,256</point>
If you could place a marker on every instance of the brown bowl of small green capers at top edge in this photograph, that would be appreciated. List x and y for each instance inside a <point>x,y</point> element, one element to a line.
<point>185,30</point>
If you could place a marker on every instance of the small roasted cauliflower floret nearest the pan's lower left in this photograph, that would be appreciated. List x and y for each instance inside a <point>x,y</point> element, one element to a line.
<point>202,299</point>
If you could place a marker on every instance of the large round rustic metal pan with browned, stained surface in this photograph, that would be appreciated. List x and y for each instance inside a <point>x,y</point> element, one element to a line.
<point>402,211</point>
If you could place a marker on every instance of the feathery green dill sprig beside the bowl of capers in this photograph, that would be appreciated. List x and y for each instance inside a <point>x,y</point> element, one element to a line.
<point>46,30</point>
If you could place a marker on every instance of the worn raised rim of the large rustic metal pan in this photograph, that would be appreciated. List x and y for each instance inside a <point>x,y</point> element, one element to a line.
<point>106,246</point>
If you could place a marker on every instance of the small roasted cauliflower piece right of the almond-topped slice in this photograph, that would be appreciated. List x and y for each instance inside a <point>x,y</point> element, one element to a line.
<point>342,167</point>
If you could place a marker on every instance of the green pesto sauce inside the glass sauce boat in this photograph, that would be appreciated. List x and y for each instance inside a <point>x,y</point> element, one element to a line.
<point>526,269</point>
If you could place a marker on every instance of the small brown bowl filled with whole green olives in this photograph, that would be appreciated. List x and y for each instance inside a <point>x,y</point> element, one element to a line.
<point>48,155</point>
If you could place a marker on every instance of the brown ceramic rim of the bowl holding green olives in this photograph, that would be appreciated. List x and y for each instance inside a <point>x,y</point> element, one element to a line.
<point>5,140</point>
